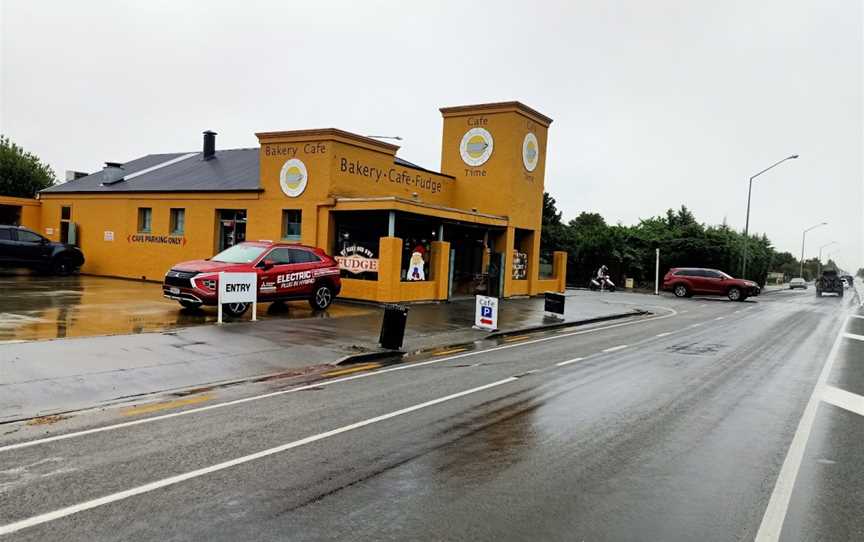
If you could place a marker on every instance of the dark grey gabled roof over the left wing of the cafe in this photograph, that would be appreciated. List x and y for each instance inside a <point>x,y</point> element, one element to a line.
<point>228,171</point>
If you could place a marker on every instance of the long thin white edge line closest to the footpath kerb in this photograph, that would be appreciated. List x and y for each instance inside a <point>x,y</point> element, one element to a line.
<point>316,385</point>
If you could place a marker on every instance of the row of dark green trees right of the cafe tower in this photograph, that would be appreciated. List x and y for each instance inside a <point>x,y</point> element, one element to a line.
<point>629,251</point>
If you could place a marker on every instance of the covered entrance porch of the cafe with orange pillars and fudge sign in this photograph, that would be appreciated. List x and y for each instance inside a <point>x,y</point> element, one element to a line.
<point>398,250</point>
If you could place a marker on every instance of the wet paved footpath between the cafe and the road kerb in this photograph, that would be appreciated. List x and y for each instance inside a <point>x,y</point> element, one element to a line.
<point>48,377</point>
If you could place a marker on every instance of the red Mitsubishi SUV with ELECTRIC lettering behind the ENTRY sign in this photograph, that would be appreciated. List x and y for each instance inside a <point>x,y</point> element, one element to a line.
<point>285,272</point>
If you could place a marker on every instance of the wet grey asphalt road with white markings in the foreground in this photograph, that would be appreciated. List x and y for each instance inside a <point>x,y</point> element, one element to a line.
<point>673,427</point>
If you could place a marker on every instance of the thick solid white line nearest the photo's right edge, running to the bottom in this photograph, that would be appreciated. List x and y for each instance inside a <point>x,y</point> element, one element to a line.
<point>775,512</point>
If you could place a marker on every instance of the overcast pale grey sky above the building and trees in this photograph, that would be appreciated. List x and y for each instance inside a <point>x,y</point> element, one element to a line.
<point>656,104</point>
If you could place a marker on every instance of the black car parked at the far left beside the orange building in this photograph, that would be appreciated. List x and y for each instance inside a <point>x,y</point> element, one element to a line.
<point>20,247</point>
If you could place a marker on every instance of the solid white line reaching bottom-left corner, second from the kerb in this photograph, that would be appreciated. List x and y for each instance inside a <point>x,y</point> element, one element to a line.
<point>165,482</point>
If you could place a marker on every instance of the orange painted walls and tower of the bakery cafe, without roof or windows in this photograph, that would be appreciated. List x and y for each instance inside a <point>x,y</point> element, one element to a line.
<point>338,165</point>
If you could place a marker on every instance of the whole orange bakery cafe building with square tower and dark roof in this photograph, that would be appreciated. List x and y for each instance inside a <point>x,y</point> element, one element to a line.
<point>401,232</point>
